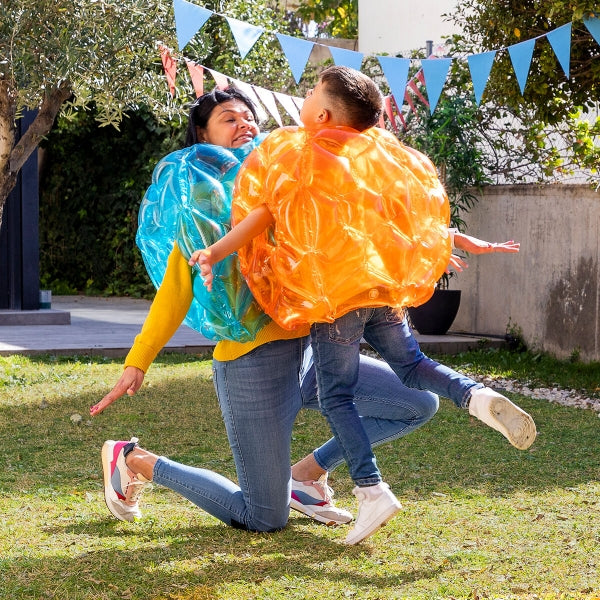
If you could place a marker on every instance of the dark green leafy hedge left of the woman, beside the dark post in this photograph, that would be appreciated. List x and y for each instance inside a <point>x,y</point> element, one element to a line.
<point>92,180</point>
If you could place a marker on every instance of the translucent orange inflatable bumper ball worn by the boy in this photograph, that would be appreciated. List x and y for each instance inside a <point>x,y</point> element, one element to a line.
<point>361,221</point>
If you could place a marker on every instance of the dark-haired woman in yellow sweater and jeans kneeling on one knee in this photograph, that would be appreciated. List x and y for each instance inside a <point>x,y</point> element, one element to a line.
<point>259,392</point>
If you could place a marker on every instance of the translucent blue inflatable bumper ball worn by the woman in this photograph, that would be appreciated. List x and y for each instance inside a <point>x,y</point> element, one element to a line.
<point>189,202</point>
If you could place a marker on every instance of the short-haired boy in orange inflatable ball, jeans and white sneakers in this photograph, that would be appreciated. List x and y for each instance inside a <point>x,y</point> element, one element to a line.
<point>360,226</point>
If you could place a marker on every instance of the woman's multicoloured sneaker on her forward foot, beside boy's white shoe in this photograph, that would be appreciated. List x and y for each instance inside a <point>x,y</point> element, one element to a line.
<point>315,499</point>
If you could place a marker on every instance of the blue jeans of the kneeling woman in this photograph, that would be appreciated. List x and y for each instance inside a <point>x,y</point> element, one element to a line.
<point>260,396</point>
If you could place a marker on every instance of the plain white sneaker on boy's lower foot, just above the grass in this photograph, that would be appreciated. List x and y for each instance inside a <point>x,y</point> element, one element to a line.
<point>376,506</point>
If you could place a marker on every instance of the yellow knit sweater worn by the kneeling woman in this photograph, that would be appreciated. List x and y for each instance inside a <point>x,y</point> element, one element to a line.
<point>170,305</point>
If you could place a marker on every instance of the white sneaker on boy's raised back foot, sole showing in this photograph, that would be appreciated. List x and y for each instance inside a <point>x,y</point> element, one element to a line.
<point>502,415</point>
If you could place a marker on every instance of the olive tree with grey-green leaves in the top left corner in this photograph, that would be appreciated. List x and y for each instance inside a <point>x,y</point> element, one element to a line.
<point>63,54</point>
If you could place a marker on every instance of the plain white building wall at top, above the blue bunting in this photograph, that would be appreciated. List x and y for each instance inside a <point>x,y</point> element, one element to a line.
<point>394,26</point>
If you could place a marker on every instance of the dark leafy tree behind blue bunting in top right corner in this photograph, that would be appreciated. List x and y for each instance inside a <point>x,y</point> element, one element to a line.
<point>491,25</point>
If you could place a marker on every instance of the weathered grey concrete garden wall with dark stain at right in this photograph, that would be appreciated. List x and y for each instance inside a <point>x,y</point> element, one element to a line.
<point>551,289</point>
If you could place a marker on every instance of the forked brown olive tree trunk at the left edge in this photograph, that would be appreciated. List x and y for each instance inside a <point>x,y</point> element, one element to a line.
<point>13,157</point>
